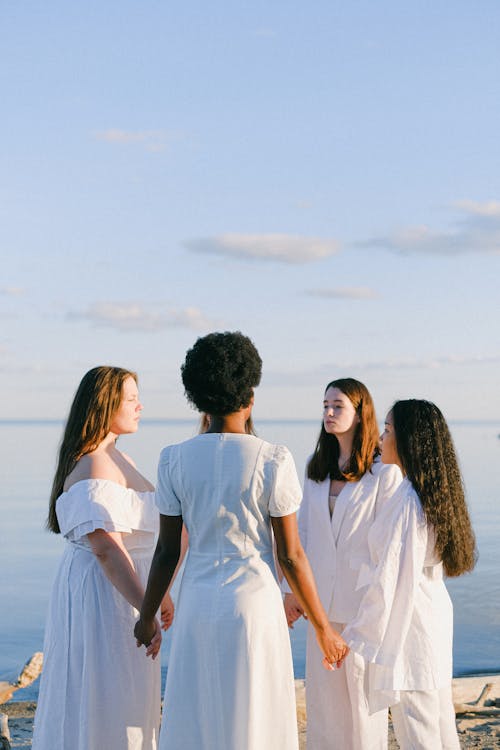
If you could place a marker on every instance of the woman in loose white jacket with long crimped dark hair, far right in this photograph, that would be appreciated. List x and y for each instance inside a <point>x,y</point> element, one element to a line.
<point>404,626</point>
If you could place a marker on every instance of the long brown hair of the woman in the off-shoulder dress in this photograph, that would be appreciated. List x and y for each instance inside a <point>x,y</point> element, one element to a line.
<point>95,403</point>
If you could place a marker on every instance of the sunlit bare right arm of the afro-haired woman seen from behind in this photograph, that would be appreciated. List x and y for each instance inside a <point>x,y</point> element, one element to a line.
<point>298,573</point>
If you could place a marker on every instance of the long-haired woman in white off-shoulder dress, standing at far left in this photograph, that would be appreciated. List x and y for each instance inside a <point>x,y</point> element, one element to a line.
<point>98,691</point>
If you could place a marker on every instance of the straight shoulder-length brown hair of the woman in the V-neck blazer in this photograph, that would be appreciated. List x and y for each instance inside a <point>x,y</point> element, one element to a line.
<point>324,461</point>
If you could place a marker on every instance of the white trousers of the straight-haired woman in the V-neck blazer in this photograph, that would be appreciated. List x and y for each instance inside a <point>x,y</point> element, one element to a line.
<point>337,710</point>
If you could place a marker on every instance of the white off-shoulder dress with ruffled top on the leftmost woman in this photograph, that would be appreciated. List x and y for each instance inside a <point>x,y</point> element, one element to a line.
<point>98,691</point>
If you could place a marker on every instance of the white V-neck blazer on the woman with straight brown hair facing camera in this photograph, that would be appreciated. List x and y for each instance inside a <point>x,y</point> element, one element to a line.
<point>338,547</point>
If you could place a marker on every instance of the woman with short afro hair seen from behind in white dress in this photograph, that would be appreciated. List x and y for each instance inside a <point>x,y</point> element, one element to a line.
<point>230,676</point>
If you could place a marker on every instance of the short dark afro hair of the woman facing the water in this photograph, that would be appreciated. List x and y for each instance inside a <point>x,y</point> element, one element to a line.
<point>220,372</point>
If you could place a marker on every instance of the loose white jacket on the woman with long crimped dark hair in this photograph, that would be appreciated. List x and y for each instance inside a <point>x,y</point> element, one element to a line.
<point>404,626</point>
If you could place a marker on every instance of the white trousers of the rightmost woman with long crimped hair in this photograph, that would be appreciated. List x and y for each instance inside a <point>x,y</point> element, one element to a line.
<point>425,720</point>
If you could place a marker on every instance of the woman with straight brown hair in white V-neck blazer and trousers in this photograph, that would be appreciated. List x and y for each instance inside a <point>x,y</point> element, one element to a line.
<point>345,489</point>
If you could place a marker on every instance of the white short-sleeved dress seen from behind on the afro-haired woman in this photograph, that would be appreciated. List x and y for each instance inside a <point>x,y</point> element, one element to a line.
<point>230,676</point>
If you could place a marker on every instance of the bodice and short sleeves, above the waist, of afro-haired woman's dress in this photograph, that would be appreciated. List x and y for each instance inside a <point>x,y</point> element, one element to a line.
<point>226,486</point>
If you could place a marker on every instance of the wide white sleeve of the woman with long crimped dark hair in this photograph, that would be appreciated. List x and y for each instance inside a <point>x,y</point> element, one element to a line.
<point>399,540</point>
